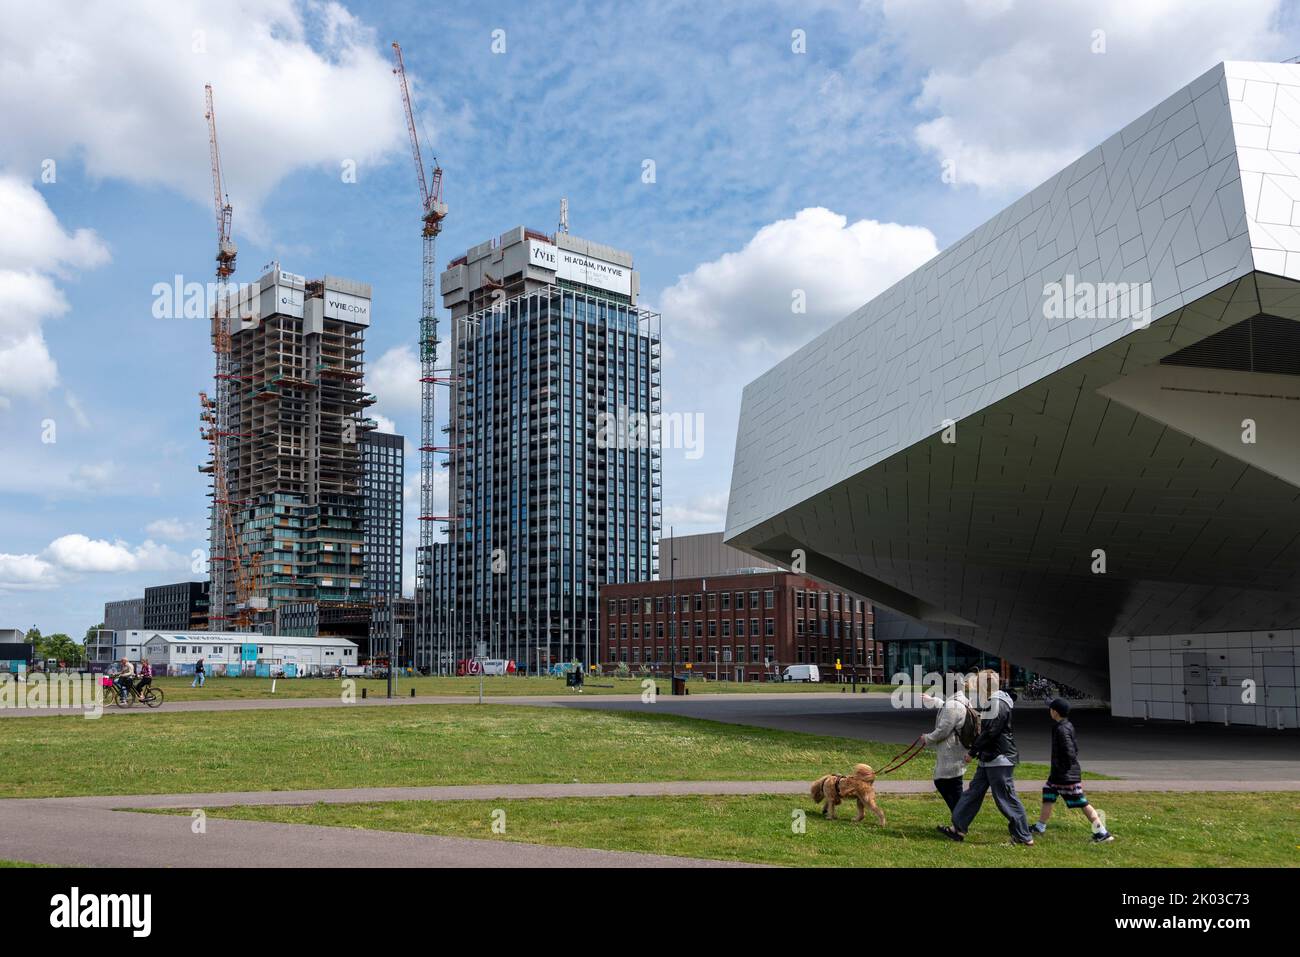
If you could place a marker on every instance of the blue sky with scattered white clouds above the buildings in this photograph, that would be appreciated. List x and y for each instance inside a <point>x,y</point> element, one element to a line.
<point>770,166</point>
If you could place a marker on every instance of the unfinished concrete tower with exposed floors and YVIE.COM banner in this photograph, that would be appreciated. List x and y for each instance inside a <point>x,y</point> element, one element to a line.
<point>293,457</point>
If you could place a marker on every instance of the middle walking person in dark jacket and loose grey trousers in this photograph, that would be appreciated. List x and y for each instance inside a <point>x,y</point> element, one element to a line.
<point>998,760</point>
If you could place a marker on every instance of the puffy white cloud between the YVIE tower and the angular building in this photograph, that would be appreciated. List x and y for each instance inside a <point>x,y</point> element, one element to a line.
<point>749,297</point>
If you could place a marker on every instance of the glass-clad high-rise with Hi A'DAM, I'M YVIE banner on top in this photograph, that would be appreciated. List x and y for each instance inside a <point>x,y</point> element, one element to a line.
<point>553,451</point>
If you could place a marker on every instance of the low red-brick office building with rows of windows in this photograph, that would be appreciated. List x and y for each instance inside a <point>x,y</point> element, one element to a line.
<point>739,626</point>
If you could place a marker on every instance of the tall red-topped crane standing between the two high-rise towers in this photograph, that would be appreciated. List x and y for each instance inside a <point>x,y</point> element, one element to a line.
<point>434,211</point>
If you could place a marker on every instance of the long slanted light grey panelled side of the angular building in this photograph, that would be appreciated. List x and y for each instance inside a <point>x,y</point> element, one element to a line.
<point>1160,203</point>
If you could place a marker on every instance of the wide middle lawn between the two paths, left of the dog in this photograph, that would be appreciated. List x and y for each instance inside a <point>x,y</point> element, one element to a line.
<point>410,746</point>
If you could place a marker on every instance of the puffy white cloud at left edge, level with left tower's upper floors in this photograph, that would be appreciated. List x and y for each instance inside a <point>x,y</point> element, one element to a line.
<point>34,248</point>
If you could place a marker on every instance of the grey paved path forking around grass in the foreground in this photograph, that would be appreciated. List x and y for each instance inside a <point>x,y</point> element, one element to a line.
<point>106,832</point>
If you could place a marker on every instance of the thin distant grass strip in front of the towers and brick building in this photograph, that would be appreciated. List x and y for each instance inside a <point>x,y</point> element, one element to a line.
<point>245,688</point>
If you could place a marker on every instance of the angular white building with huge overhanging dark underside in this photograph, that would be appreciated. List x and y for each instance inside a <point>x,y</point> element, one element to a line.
<point>1076,431</point>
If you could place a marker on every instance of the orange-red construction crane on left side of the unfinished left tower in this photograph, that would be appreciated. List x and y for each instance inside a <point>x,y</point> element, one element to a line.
<point>227,558</point>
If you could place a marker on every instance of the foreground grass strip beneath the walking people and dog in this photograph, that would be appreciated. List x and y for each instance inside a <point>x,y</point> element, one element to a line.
<point>1152,830</point>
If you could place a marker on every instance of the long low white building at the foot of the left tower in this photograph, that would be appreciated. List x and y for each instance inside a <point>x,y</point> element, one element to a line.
<point>233,653</point>
